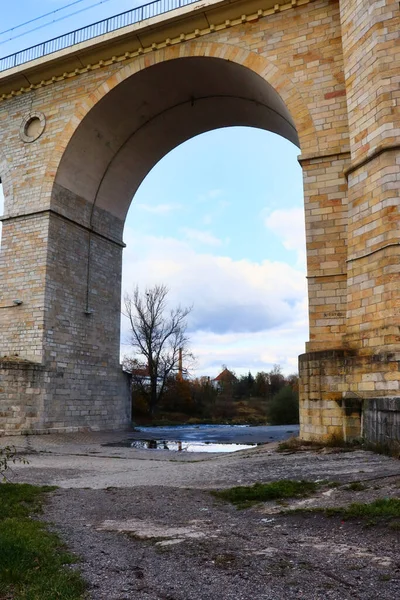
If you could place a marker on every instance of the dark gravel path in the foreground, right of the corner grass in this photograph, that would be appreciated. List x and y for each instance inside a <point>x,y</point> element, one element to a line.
<point>163,544</point>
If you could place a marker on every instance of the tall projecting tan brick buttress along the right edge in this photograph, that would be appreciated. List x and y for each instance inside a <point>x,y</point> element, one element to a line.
<point>372,56</point>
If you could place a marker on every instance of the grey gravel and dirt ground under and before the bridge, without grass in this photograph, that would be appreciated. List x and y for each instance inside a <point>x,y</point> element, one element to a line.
<point>146,526</point>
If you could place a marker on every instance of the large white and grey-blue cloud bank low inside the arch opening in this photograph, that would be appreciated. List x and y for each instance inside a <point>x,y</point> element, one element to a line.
<point>246,314</point>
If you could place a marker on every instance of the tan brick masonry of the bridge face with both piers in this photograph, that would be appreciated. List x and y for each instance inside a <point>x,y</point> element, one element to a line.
<point>334,66</point>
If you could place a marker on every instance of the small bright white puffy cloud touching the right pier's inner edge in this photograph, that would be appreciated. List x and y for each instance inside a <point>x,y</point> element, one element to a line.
<point>289,226</point>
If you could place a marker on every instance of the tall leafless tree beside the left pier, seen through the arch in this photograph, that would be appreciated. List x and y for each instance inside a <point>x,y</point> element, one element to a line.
<point>157,335</point>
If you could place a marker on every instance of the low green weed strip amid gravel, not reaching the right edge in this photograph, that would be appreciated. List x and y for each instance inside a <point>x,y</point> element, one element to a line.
<point>245,496</point>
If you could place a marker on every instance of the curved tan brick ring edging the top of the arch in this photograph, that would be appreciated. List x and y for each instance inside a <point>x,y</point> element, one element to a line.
<point>260,65</point>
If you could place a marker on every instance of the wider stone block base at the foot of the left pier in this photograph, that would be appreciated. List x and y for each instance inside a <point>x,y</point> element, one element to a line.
<point>35,399</point>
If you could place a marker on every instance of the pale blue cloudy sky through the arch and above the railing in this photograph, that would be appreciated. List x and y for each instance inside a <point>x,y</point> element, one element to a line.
<point>219,220</point>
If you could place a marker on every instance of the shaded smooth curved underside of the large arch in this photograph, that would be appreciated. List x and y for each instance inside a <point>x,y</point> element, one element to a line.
<point>143,118</point>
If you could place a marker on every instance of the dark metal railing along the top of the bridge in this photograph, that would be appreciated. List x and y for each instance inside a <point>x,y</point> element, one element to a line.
<point>130,17</point>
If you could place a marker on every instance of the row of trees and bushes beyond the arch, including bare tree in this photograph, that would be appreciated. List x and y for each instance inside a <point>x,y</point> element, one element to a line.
<point>159,373</point>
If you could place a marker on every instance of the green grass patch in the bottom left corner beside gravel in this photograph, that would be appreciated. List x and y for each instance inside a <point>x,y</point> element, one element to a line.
<point>32,560</point>
